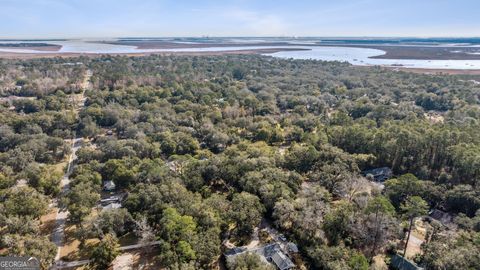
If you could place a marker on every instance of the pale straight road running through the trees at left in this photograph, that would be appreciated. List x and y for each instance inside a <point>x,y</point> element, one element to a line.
<point>58,232</point>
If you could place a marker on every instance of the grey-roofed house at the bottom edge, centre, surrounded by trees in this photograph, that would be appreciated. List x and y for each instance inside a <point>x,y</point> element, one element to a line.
<point>271,253</point>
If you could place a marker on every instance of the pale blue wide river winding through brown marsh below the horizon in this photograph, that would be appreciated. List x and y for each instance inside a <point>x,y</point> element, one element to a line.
<point>355,56</point>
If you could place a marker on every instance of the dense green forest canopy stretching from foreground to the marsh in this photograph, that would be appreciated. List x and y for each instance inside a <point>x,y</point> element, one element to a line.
<point>205,147</point>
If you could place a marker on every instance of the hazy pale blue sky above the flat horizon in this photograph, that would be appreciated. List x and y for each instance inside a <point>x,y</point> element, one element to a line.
<point>115,18</point>
